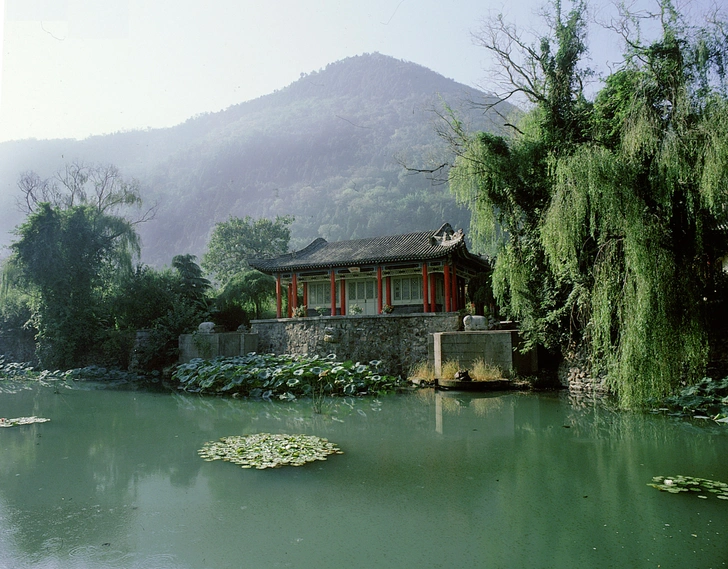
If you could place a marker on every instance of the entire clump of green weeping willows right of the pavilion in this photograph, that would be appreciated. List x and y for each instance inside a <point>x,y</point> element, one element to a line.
<point>612,210</point>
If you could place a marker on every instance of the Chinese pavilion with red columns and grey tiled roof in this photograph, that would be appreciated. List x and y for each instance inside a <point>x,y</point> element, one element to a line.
<point>415,272</point>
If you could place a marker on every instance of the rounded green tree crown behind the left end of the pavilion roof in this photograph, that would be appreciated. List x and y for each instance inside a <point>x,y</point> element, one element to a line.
<point>236,240</point>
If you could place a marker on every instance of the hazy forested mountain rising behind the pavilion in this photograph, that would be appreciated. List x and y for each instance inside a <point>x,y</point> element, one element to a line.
<point>326,149</point>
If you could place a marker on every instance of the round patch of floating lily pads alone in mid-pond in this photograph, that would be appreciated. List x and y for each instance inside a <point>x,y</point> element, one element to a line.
<point>264,450</point>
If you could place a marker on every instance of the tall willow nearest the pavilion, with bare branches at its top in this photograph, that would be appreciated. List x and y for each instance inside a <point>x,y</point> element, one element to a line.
<point>506,182</point>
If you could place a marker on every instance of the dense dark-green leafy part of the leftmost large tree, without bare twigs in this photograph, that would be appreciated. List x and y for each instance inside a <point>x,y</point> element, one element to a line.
<point>62,254</point>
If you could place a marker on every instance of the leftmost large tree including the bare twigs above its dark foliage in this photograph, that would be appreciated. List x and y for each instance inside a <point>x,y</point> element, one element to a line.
<point>67,251</point>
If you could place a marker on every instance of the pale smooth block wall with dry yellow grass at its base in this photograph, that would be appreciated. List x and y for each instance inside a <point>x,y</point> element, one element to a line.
<point>496,347</point>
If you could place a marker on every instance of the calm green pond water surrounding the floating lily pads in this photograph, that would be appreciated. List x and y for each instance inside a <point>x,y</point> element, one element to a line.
<point>505,481</point>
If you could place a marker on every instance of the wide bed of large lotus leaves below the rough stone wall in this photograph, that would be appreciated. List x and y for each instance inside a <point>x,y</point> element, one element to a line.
<point>284,377</point>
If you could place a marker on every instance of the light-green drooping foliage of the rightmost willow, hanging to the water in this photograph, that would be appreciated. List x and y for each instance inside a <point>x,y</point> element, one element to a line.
<point>630,219</point>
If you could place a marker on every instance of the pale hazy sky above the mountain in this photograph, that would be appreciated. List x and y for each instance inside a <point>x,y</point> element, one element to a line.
<point>72,68</point>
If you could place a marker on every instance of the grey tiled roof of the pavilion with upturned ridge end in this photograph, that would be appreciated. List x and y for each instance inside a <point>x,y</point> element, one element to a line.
<point>420,246</point>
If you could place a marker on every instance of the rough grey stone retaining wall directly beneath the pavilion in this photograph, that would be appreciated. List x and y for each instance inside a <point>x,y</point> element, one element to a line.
<point>398,340</point>
